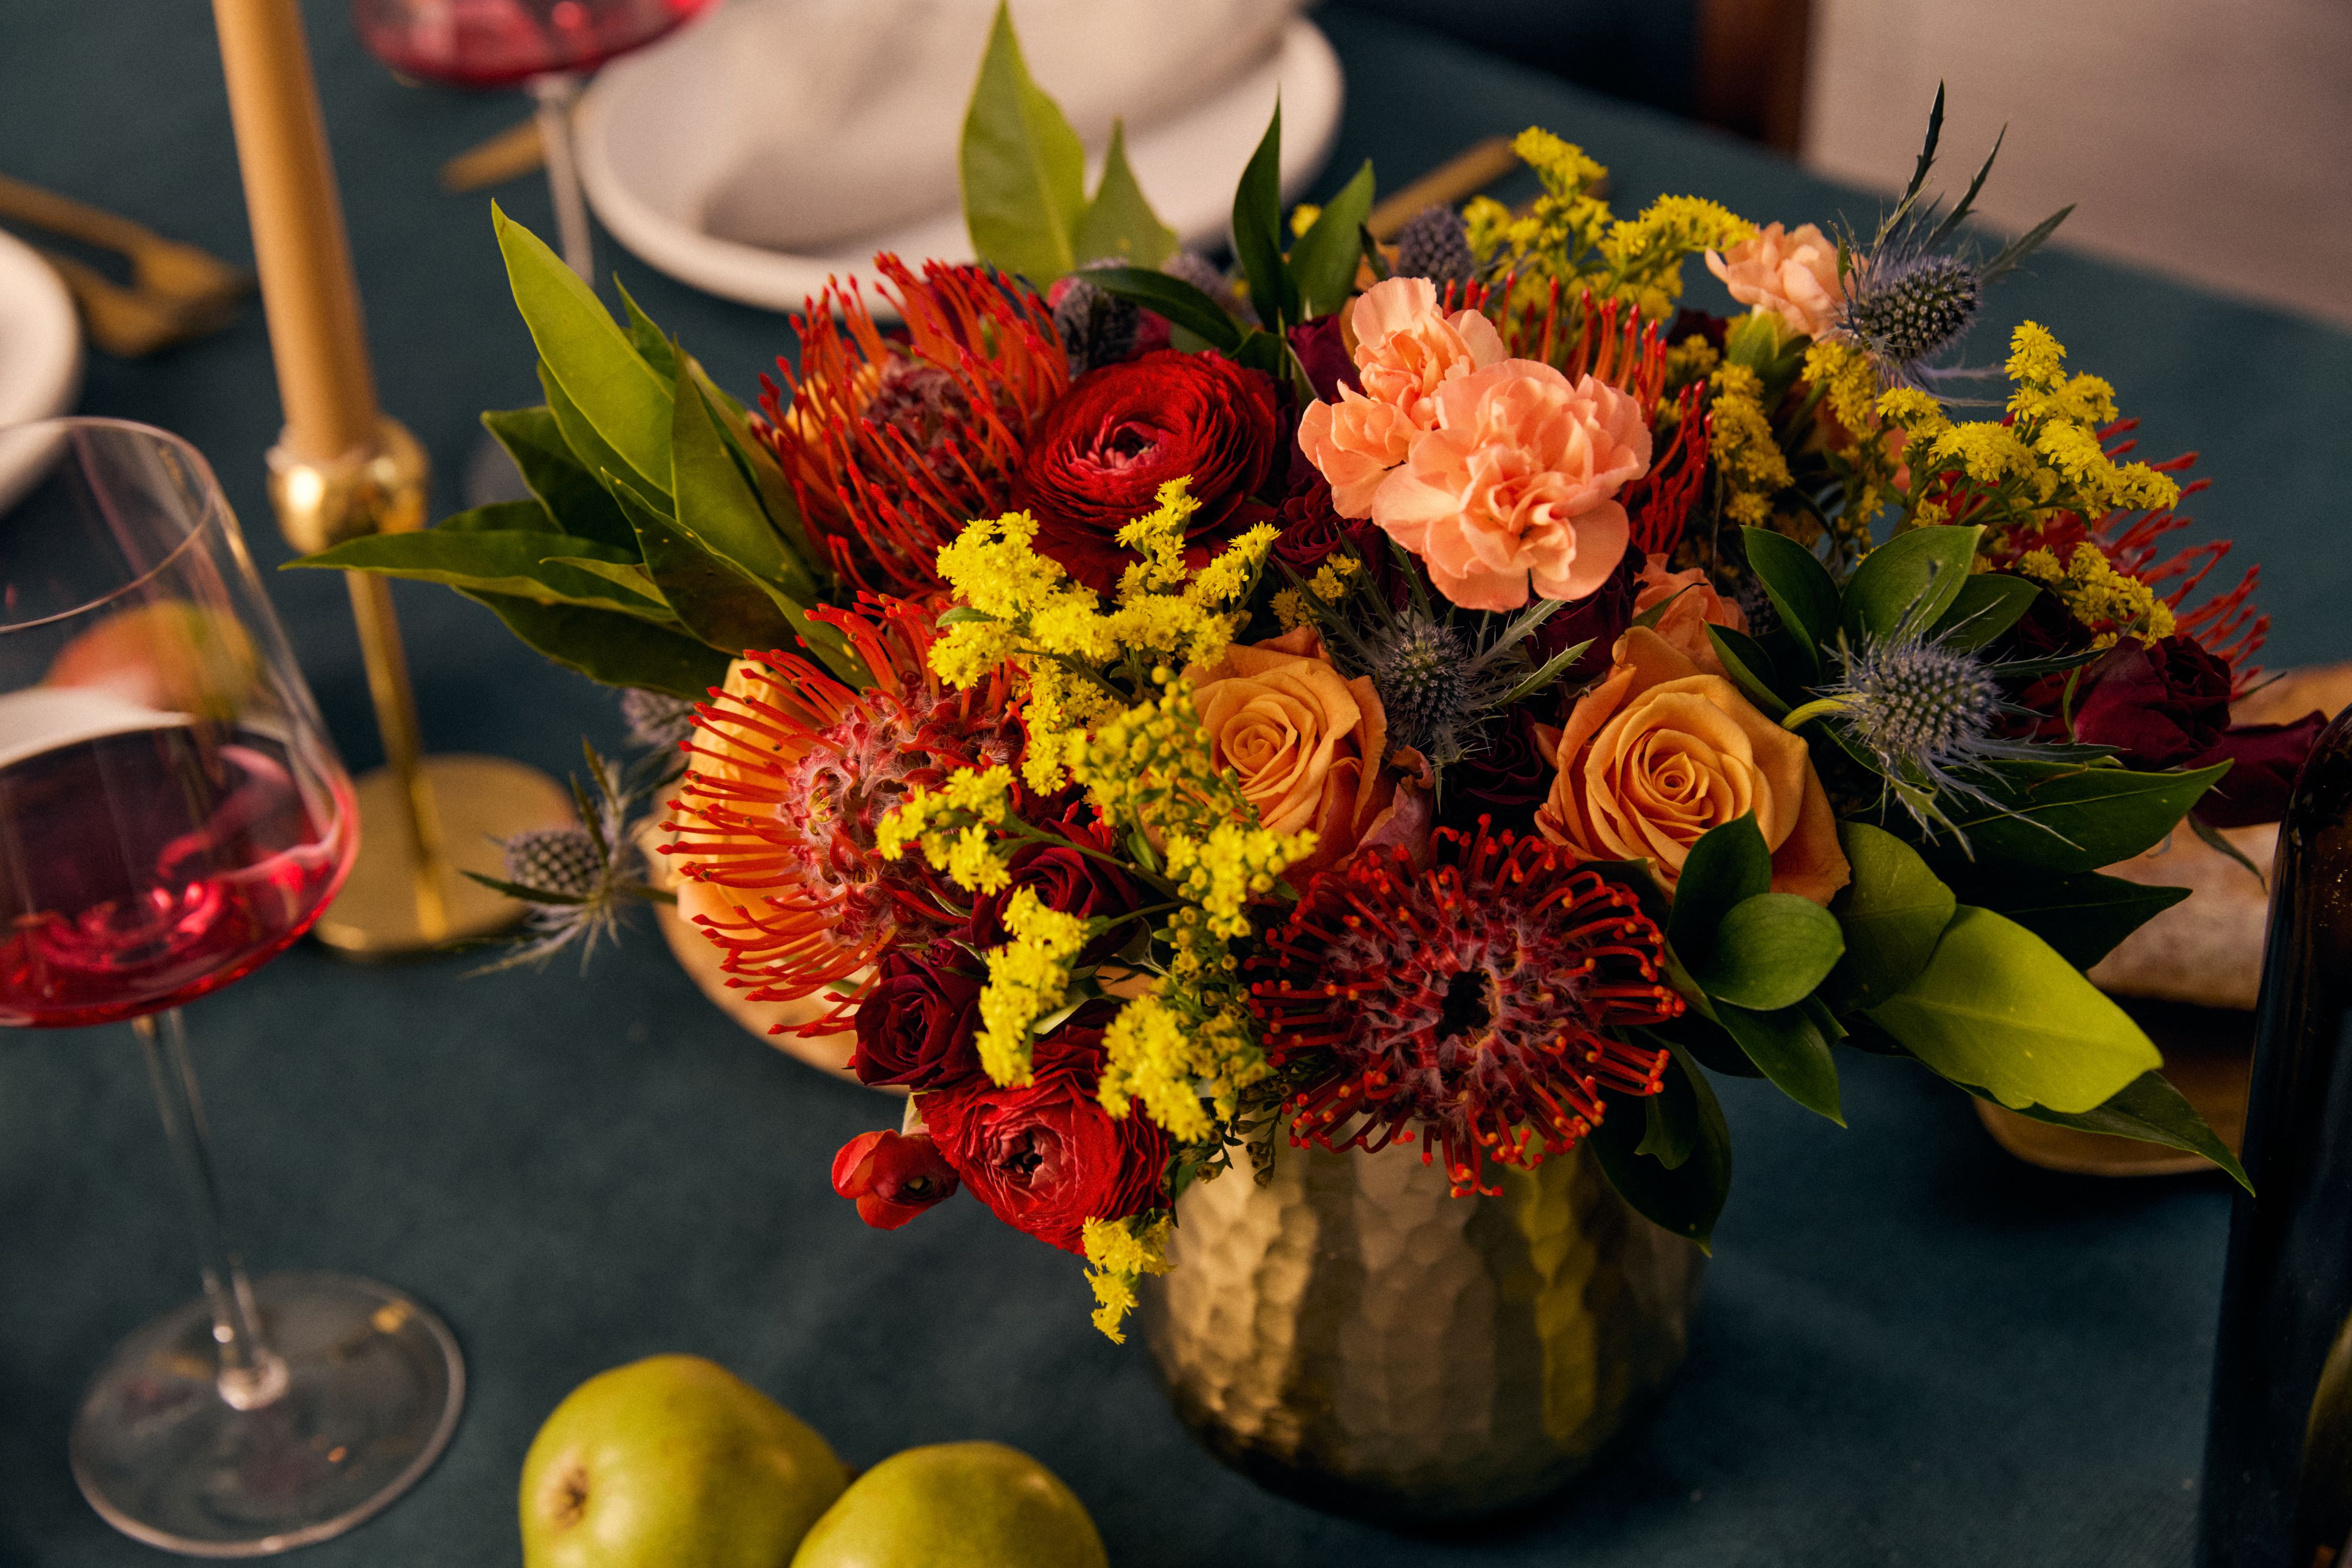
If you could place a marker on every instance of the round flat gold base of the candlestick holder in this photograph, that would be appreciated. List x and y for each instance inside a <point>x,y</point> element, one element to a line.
<point>479,800</point>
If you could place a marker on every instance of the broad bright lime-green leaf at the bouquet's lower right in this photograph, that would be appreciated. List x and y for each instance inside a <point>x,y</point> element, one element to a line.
<point>2000,1010</point>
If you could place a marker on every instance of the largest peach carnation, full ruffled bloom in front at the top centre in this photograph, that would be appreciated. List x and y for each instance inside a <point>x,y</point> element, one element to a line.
<point>1518,485</point>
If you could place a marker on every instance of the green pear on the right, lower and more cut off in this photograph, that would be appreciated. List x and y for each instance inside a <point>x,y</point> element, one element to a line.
<point>956,1506</point>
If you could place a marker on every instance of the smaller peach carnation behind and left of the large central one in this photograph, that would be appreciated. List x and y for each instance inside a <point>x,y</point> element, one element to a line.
<point>1405,349</point>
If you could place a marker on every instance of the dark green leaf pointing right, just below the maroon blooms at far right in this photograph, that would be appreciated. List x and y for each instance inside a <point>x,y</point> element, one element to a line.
<point>2069,817</point>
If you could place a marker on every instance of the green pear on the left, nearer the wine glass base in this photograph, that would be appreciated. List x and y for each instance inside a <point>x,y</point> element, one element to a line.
<point>674,1463</point>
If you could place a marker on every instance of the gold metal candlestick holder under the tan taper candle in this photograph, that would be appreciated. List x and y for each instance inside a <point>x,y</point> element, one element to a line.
<point>422,819</point>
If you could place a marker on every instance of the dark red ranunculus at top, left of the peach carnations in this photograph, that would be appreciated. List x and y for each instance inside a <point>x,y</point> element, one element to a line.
<point>1104,450</point>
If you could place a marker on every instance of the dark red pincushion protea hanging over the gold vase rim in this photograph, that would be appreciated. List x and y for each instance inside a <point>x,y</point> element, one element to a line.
<point>1462,1003</point>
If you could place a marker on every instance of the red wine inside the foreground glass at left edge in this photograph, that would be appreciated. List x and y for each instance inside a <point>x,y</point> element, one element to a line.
<point>152,866</point>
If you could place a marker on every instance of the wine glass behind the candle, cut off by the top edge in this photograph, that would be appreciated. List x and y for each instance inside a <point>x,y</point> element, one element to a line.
<point>549,46</point>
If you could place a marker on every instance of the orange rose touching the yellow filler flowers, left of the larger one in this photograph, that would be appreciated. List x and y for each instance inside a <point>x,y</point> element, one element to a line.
<point>1307,744</point>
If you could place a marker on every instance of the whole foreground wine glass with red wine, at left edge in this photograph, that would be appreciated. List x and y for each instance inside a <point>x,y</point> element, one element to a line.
<point>171,819</point>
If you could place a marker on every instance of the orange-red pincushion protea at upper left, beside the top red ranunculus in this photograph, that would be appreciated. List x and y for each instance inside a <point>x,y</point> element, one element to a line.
<point>895,445</point>
